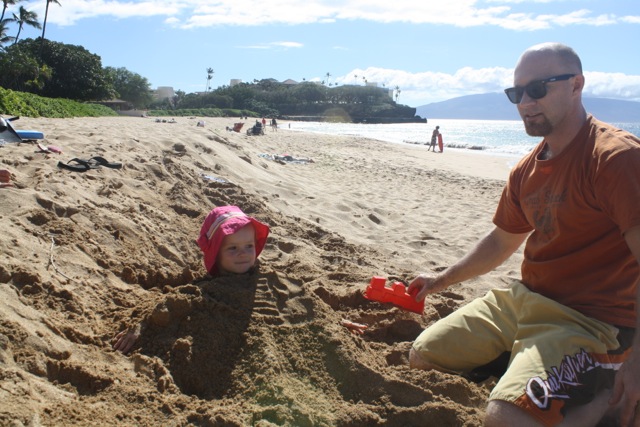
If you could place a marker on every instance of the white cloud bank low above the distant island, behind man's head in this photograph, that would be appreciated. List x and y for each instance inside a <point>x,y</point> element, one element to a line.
<point>427,87</point>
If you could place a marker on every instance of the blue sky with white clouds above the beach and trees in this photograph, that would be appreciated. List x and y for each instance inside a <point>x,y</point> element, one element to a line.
<point>431,50</point>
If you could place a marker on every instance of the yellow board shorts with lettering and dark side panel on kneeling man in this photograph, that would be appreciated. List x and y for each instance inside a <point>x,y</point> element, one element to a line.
<point>555,357</point>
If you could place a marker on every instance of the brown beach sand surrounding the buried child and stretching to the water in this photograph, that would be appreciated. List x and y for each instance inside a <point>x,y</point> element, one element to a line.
<point>84,255</point>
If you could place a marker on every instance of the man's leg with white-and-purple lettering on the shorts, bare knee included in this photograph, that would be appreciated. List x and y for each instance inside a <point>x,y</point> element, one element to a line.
<point>562,367</point>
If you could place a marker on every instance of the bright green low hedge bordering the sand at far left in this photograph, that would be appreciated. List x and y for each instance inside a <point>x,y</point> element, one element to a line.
<point>27,104</point>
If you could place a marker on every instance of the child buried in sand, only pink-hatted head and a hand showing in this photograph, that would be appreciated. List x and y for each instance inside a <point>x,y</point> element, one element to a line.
<point>231,242</point>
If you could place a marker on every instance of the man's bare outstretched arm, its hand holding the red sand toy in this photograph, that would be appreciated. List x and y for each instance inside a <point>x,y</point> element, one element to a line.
<point>491,251</point>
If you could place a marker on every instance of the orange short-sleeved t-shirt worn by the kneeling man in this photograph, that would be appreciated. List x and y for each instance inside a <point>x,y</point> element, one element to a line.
<point>579,204</point>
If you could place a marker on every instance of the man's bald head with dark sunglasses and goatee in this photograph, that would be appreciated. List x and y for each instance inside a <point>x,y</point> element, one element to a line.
<point>548,85</point>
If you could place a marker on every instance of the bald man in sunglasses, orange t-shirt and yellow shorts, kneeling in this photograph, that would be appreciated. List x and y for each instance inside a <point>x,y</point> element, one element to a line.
<point>566,331</point>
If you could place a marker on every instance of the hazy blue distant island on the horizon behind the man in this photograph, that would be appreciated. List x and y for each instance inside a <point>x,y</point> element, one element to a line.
<point>496,106</point>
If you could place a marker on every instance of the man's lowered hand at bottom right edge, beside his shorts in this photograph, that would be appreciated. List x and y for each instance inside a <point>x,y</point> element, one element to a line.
<point>626,391</point>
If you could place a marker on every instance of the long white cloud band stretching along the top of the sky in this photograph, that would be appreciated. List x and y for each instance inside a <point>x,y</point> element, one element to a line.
<point>204,13</point>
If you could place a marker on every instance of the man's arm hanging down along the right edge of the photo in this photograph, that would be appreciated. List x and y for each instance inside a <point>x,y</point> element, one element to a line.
<point>626,390</point>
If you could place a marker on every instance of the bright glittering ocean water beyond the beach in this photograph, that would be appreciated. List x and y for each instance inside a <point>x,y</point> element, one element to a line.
<point>495,137</point>
